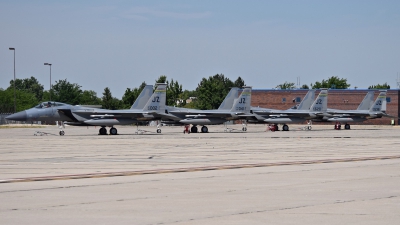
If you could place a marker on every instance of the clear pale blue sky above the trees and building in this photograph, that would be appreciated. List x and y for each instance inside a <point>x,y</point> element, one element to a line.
<point>119,44</point>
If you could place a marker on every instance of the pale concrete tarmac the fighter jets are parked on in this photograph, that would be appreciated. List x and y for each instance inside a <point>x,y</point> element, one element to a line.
<point>322,176</point>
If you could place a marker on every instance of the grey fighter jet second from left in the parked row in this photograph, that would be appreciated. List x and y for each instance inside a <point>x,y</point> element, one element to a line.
<point>230,109</point>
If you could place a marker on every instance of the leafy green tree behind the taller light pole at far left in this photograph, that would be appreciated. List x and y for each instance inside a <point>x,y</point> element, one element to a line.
<point>30,85</point>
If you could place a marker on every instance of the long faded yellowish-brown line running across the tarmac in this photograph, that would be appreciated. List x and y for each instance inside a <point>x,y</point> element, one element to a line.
<point>191,169</point>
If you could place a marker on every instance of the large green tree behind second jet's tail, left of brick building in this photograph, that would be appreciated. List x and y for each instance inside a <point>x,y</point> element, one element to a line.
<point>212,91</point>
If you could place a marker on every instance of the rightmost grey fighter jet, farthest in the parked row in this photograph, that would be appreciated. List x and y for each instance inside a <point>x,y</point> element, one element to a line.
<point>376,110</point>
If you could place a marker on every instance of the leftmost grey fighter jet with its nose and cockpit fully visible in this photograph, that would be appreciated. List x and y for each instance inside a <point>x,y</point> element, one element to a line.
<point>141,110</point>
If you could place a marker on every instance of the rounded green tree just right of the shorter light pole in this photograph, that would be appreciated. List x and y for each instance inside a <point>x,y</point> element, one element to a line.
<point>64,91</point>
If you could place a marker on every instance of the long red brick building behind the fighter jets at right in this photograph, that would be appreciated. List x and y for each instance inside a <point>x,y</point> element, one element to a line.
<point>345,99</point>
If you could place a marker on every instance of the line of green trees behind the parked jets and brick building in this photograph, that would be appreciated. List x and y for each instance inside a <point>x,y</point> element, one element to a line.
<point>209,93</point>
